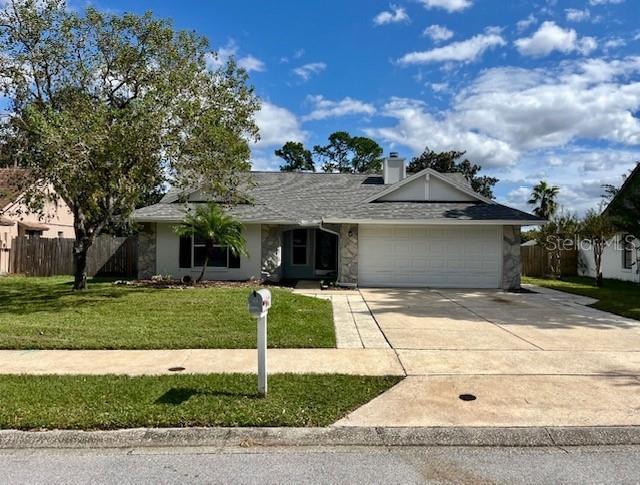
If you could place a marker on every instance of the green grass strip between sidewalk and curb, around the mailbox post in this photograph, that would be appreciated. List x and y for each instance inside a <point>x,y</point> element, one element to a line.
<point>111,402</point>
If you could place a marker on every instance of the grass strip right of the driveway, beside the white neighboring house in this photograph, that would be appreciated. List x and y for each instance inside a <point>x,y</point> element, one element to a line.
<point>615,296</point>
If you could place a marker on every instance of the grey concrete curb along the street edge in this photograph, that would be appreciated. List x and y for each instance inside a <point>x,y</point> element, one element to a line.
<point>330,436</point>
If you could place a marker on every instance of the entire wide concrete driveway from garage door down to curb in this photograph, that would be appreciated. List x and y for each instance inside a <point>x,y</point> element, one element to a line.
<point>530,359</point>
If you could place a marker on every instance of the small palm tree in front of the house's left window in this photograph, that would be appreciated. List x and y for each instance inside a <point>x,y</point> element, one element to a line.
<point>212,225</point>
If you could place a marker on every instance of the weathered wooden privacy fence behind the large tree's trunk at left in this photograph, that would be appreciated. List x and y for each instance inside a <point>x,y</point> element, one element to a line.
<point>108,256</point>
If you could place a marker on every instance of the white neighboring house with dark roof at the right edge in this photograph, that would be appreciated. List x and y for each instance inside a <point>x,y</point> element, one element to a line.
<point>621,256</point>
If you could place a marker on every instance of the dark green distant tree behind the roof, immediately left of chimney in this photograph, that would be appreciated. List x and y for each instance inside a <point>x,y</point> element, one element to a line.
<point>349,154</point>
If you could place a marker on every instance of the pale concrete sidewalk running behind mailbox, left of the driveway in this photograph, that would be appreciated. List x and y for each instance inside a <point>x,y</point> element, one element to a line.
<point>200,361</point>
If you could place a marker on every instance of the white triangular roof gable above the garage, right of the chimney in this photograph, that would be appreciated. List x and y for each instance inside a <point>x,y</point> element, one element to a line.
<point>428,185</point>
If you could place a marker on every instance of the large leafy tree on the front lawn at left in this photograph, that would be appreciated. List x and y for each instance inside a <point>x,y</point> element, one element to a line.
<point>105,106</point>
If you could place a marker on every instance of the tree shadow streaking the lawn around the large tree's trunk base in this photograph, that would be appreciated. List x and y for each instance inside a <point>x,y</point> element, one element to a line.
<point>23,297</point>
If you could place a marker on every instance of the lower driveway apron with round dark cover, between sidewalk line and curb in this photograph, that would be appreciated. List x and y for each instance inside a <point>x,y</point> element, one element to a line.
<point>532,400</point>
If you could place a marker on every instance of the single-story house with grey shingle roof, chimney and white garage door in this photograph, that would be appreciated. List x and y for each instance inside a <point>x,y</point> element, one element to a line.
<point>426,229</point>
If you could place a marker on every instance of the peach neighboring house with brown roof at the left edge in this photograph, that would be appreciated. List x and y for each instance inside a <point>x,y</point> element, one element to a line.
<point>16,220</point>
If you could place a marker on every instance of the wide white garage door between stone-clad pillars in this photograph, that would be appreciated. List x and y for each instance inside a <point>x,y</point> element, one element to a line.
<point>438,256</point>
